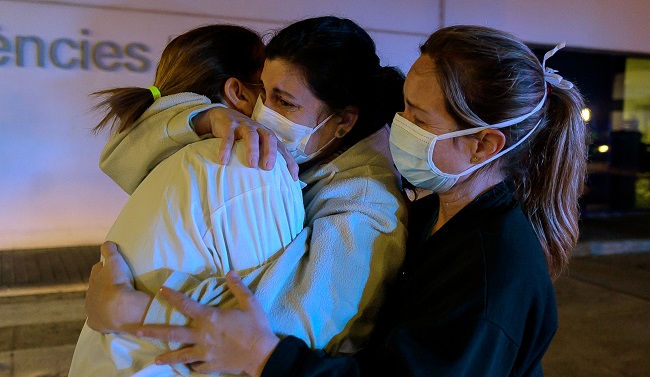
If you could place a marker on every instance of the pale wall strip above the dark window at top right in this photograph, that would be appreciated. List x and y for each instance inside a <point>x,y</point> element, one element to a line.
<point>594,24</point>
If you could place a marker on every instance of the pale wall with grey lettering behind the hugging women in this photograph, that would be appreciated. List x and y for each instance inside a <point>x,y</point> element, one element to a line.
<point>52,193</point>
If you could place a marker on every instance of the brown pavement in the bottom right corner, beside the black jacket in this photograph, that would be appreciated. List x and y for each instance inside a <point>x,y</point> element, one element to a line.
<point>604,318</point>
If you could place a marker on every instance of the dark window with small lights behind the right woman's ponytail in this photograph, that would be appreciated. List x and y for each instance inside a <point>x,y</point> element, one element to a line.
<point>616,88</point>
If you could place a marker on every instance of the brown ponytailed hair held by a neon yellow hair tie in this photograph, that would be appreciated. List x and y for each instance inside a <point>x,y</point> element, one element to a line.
<point>198,61</point>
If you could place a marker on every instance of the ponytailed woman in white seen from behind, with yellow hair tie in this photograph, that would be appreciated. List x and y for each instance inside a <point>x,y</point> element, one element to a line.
<point>189,199</point>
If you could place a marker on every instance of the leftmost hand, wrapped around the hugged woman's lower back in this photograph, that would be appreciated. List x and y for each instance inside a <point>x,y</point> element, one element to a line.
<point>112,304</point>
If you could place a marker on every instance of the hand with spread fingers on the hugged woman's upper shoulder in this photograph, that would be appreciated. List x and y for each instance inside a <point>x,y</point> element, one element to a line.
<point>231,125</point>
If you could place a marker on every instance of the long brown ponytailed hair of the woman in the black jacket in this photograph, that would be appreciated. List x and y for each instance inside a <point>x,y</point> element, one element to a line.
<point>490,76</point>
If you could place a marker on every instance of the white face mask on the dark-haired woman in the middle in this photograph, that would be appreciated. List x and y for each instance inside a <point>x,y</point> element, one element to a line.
<point>294,136</point>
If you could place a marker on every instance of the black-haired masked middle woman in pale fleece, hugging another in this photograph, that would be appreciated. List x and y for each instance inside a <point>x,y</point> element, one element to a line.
<point>329,100</point>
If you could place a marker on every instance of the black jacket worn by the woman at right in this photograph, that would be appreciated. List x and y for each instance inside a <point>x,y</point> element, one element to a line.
<point>474,299</point>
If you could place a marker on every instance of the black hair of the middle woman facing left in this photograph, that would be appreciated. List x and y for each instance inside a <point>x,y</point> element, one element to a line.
<point>339,62</point>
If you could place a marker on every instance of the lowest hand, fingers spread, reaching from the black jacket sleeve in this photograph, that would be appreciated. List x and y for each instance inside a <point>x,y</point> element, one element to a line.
<point>222,340</point>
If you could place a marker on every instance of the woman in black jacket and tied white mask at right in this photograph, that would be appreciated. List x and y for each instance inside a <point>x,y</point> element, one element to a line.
<point>499,139</point>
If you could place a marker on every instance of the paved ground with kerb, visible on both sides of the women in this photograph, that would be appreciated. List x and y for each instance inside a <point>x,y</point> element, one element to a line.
<point>603,305</point>
